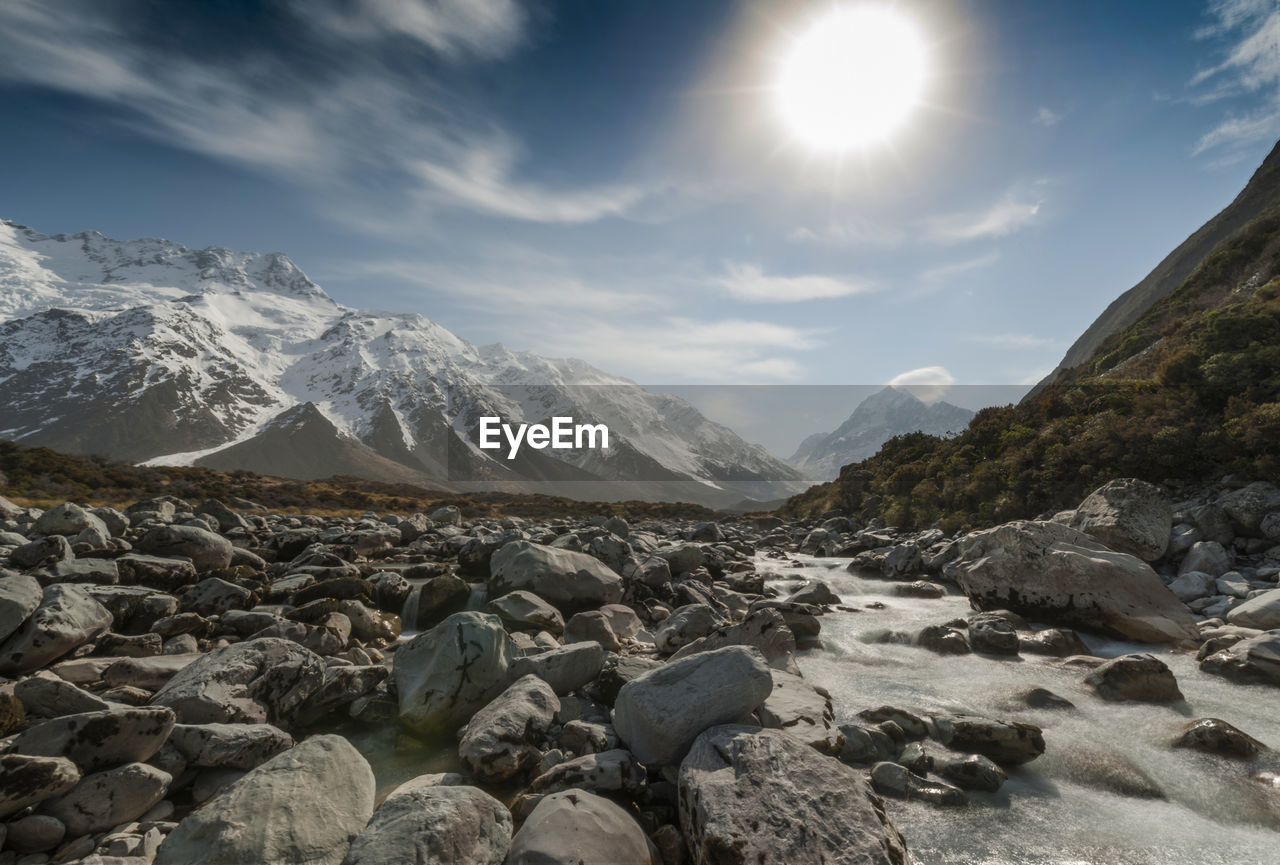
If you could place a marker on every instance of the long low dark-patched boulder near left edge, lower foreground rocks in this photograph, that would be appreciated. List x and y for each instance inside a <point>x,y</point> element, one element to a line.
<point>99,740</point>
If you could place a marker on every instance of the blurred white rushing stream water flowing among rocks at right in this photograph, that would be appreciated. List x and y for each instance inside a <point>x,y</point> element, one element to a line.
<point>1214,814</point>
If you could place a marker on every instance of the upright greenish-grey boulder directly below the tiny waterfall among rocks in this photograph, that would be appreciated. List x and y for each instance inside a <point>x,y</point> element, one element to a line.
<point>449,674</point>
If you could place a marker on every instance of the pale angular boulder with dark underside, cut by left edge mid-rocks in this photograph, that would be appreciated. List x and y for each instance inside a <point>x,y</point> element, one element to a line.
<point>67,619</point>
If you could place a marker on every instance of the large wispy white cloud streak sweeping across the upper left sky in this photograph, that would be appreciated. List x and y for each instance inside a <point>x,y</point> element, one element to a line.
<point>339,112</point>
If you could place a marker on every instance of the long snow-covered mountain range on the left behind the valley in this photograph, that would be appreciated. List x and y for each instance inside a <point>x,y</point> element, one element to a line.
<point>154,353</point>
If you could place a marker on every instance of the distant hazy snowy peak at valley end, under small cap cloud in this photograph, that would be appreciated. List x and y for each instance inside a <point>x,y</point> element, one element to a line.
<point>875,422</point>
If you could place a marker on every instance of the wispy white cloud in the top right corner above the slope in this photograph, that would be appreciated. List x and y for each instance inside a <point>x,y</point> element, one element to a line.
<point>1249,65</point>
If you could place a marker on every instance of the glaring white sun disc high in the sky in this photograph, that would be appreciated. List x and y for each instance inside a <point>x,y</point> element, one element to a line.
<point>852,79</point>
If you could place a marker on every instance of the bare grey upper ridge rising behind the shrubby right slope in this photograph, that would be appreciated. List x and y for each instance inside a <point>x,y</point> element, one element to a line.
<point>1260,196</point>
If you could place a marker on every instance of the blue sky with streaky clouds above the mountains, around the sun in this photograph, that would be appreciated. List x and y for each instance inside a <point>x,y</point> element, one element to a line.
<point>609,179</point>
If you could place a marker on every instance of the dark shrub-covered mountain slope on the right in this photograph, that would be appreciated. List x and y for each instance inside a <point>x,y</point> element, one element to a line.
<point>1186,393</point>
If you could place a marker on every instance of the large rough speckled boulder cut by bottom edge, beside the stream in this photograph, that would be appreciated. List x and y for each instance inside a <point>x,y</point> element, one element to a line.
<point>761,798</point>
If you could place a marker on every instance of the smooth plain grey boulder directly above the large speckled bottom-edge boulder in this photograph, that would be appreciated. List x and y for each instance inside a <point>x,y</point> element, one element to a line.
<point>662,712</point>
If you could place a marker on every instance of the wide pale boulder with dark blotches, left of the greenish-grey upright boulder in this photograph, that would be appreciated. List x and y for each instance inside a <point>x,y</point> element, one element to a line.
<point>248,683</point>
